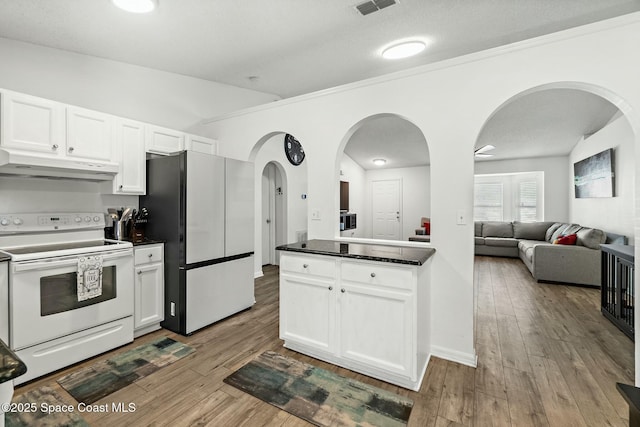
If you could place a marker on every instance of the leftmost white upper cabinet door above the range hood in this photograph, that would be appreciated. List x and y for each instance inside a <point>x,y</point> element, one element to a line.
<point>34,124</point>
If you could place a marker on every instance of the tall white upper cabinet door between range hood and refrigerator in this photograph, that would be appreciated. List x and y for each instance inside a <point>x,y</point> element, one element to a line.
<point>130,154</point>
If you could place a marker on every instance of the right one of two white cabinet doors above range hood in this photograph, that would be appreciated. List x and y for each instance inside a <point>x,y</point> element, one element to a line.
<point>89,134</point>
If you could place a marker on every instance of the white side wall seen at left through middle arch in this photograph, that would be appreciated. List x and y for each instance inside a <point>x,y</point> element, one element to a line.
<point>355,175</point>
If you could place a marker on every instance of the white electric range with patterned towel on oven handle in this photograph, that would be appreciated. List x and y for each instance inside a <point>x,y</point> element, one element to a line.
<point>52,324</point>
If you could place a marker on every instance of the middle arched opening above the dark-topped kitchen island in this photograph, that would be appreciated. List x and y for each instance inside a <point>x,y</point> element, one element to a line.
<point>384,165</point>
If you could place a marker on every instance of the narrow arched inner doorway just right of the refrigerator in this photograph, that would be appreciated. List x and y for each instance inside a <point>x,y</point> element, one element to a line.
<point>272,213</point>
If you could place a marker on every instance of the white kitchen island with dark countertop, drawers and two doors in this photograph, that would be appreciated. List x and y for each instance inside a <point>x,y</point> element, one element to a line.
<point>358,305</point>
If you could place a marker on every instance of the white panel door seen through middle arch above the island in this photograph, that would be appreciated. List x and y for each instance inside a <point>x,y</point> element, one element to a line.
<point>386,202</point>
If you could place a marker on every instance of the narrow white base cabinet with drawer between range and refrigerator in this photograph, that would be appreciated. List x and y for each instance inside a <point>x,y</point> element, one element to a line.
<point>149,288</point>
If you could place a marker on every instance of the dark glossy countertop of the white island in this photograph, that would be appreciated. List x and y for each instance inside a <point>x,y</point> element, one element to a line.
<point>366,251</point>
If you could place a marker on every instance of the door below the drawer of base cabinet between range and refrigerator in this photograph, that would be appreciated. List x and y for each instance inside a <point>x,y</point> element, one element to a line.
<point>149,295</point>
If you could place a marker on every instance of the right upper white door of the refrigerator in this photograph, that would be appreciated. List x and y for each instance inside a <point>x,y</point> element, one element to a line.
<point>239,205</point>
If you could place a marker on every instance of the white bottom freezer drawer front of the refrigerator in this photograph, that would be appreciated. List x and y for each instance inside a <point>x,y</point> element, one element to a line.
<point>218,291</point>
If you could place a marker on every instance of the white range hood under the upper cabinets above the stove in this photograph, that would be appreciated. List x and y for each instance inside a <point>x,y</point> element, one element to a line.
<point>19,163</point>
